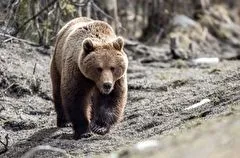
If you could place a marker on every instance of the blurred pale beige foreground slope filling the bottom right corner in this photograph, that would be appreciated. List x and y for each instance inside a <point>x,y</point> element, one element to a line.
<point>216,137</point>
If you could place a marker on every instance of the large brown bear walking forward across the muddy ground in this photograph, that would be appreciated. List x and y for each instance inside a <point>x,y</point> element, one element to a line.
<point>89,79</point>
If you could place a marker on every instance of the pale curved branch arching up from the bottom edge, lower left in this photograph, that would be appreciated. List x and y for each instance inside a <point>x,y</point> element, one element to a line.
<point>45,147</point>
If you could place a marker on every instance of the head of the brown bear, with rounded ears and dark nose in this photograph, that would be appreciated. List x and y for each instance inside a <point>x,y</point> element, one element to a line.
<point>103,62</point>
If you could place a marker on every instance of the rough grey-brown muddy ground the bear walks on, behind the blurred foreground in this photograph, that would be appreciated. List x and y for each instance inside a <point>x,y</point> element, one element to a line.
<point>158,94</point>
